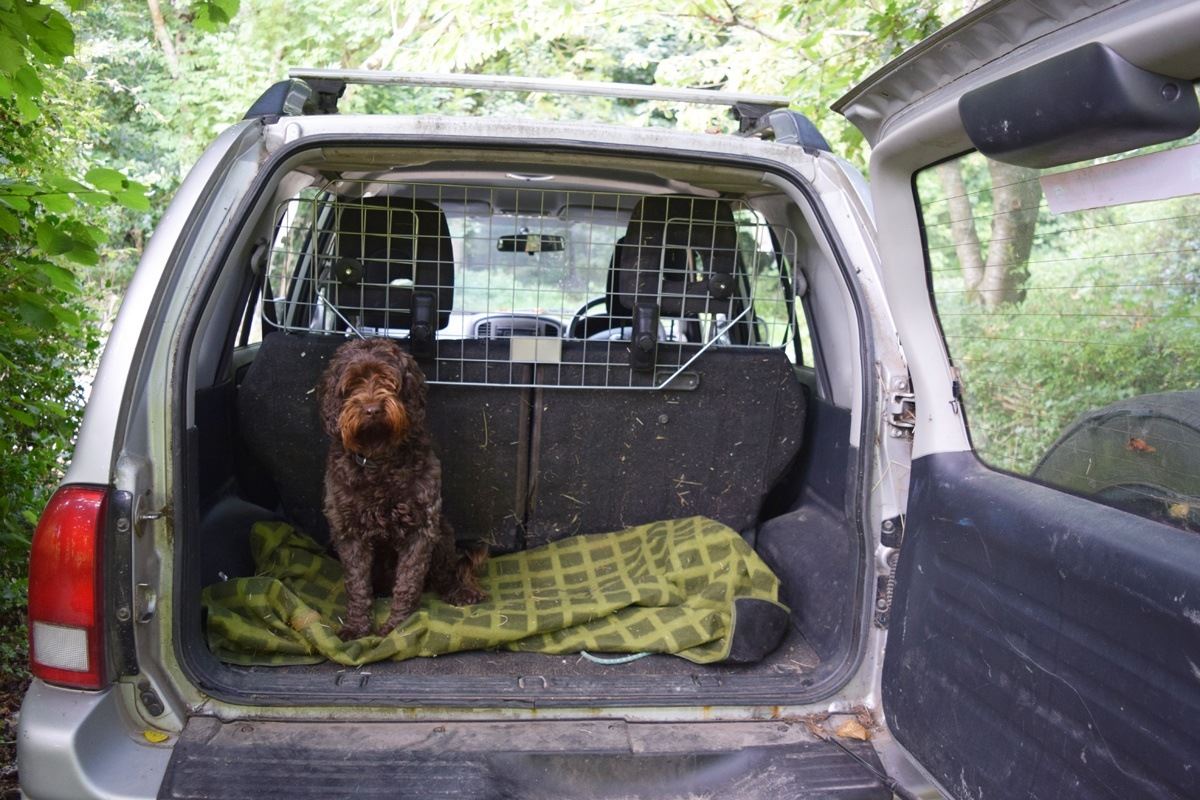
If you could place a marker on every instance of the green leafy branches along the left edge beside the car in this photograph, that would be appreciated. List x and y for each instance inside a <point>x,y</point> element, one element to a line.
<point>56,207</point>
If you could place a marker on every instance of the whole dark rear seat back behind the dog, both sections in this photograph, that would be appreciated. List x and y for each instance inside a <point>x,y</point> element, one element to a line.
<point>526,467</point>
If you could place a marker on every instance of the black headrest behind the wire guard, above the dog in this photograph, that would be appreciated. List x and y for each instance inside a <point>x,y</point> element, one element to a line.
<point>393,254</point>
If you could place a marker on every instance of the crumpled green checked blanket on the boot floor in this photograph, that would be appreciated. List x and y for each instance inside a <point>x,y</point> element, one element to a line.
<point>685,587</point>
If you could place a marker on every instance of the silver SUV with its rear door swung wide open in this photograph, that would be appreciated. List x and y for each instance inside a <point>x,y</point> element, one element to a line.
<point>957,417</point>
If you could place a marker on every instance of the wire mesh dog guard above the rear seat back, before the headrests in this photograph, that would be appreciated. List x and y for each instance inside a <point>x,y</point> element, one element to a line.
<point>533,287</point>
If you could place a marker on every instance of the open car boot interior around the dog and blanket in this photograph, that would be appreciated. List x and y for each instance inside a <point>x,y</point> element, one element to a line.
<point>521,287</point>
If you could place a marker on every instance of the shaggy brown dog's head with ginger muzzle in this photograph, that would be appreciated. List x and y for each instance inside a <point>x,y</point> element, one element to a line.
<point>371,396</point>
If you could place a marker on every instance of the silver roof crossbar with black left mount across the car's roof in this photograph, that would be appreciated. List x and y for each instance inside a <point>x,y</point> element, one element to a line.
<point>326,87</point>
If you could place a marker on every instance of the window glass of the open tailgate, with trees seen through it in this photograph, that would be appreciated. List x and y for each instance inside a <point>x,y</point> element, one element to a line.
<point>1070,300</point>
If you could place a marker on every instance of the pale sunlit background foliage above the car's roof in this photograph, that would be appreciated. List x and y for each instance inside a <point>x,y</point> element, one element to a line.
<point>171,101</point>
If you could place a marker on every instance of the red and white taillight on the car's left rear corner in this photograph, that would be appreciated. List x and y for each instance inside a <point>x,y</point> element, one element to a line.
<point>65,601</point>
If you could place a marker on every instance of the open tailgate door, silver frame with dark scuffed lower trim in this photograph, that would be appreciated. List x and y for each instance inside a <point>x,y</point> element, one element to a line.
<point>1040,642</point>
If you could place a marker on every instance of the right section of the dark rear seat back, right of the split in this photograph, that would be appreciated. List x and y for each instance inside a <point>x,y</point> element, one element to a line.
<point>611,459</point>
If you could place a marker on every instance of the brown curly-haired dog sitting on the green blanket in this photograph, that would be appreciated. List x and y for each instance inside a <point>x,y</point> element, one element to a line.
<point>383,488</point>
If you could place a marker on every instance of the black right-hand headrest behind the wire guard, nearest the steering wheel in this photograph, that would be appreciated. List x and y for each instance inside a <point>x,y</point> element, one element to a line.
<point>681,254</point>
